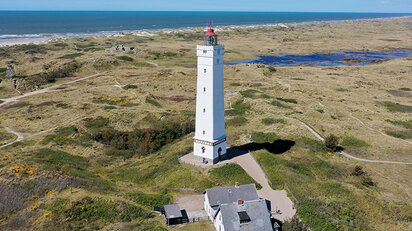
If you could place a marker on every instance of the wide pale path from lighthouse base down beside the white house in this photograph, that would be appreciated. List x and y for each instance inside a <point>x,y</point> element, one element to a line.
<point>278,198</point>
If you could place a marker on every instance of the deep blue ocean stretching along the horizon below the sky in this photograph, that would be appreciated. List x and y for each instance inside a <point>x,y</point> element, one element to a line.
<point>50,24</point>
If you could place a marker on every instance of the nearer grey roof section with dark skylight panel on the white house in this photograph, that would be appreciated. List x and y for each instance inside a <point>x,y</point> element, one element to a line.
<point>251,215</point>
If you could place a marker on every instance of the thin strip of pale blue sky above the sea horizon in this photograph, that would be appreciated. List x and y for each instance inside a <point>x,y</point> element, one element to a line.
<point>401,6</point>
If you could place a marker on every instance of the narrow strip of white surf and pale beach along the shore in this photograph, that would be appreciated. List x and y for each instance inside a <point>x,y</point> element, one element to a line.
<point>41,38</point>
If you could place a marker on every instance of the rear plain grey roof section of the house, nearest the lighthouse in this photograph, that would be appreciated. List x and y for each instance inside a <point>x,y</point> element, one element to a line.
<point>224,195</point>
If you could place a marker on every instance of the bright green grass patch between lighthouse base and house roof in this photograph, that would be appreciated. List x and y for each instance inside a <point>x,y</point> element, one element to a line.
<point>230,174</point>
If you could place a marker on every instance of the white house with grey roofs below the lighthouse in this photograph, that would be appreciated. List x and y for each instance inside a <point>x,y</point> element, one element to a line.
<point>237,208</point>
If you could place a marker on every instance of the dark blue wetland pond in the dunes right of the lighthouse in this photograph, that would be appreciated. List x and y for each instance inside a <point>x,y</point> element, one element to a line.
<point>333,58</point>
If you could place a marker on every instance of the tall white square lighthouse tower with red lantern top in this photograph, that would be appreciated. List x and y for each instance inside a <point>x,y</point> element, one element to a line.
<point>210,136</point>
